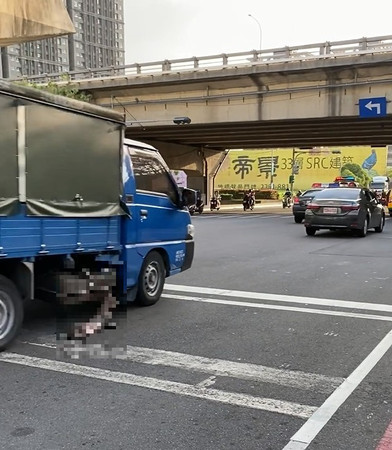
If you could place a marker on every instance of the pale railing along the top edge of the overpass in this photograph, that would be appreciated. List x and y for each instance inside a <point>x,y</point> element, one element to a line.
<point>318,51</point>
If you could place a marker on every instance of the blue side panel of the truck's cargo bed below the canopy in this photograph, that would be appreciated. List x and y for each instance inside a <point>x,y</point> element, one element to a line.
<point>22,236</point>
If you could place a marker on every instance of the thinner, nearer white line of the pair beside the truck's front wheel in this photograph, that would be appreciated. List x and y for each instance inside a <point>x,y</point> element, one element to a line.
<point>301,309</point>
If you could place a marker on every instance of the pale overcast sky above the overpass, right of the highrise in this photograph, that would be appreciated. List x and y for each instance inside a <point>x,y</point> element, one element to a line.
<point>156,30</point>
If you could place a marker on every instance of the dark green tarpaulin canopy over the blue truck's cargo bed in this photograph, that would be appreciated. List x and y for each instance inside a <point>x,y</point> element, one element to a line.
<point>59,156</point>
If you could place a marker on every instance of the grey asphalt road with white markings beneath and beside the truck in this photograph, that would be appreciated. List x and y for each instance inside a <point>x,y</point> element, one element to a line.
<point>272,340</point>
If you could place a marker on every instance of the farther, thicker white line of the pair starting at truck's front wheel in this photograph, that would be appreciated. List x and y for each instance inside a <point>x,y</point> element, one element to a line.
<point>282,298</point>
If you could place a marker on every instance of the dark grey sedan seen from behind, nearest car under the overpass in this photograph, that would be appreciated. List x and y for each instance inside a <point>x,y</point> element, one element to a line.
<point>355,209</point>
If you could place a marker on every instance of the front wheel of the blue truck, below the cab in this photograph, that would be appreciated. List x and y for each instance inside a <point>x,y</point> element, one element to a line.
<point>151,280</point>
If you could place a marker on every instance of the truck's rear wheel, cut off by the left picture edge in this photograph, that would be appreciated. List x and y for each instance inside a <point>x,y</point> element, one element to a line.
<point>11,312</point>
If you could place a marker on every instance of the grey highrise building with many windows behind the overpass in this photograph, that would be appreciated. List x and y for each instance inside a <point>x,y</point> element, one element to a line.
<point>98,42</point>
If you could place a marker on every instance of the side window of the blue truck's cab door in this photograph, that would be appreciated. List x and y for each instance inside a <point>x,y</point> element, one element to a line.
<point>151,175</point>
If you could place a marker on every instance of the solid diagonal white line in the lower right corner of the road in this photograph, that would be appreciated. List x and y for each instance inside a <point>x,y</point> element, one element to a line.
<point>305,435</point>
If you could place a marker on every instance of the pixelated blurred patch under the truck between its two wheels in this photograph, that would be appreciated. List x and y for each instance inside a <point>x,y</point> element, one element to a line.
<point>86,301</point>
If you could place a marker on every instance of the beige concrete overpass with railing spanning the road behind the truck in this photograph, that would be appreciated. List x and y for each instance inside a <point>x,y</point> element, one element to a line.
<point>301,96</point>
